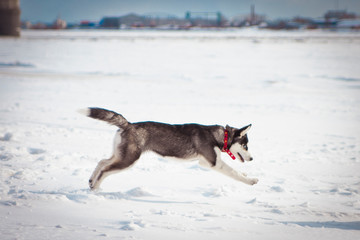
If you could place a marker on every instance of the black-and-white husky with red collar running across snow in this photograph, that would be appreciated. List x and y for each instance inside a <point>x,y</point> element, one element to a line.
<point>187,141</point>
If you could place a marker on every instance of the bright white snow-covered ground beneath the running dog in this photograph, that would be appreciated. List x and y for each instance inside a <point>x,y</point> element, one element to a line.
<point>300,90</point>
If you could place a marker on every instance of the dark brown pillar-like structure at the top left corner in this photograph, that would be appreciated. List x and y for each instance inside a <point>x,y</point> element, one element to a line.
<point>10,17</point>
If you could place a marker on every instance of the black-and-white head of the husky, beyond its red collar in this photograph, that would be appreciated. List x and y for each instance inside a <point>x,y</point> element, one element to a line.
<point>238,142</point>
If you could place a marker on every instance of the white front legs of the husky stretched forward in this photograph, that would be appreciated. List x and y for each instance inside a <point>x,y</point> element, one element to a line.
<point>225,169</point>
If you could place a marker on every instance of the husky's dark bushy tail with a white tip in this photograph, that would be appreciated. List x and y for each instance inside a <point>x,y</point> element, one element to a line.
<point>106,115</point>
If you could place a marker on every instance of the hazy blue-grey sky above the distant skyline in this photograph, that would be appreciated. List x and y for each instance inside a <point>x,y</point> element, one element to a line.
<point>94,10</point>
